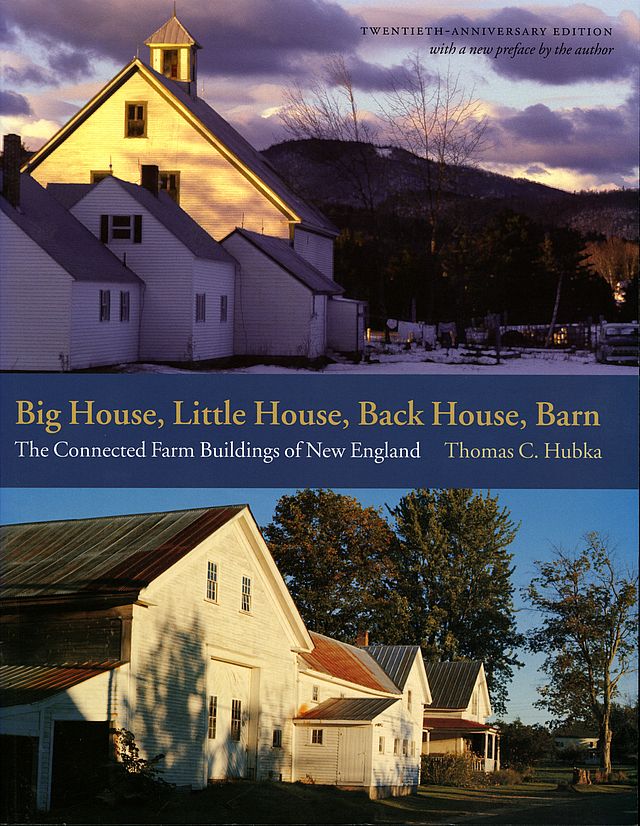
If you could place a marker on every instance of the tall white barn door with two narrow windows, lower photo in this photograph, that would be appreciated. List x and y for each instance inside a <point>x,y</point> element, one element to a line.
<point>228,720</point>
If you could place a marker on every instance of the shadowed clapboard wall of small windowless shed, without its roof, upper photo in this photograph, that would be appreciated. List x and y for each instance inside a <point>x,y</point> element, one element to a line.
<point>274,312</point>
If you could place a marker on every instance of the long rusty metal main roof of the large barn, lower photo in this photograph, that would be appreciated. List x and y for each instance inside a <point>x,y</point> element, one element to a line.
<point>106,555</point>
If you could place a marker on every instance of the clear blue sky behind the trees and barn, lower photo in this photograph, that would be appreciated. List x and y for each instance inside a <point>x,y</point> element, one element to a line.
<point>548,518</point>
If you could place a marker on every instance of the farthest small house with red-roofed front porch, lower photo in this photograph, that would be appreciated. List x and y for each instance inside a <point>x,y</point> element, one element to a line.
<point>455,721</point>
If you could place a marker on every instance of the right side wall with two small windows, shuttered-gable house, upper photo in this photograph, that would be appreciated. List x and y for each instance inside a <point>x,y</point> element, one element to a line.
<point>213,338</point>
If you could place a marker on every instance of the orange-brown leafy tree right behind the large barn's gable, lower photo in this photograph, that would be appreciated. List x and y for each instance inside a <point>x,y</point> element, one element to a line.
<point>336,558</point>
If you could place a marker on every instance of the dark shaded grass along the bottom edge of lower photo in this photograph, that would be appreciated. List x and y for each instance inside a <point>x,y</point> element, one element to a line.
<point>284,803</point>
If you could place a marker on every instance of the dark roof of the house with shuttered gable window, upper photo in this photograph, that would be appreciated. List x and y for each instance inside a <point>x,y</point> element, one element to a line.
<point>179,223</point>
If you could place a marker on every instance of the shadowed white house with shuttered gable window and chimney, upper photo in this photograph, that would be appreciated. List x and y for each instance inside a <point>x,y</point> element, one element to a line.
<point>188,309</point>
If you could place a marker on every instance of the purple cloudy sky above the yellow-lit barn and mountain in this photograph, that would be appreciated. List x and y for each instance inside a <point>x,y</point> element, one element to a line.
<point>568,120</point>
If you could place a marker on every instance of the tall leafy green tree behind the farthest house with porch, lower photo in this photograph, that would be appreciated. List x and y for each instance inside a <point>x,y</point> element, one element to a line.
<point>453,552</point>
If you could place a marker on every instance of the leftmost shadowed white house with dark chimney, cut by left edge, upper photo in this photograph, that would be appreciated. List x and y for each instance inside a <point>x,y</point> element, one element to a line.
<point>66,301</point>
